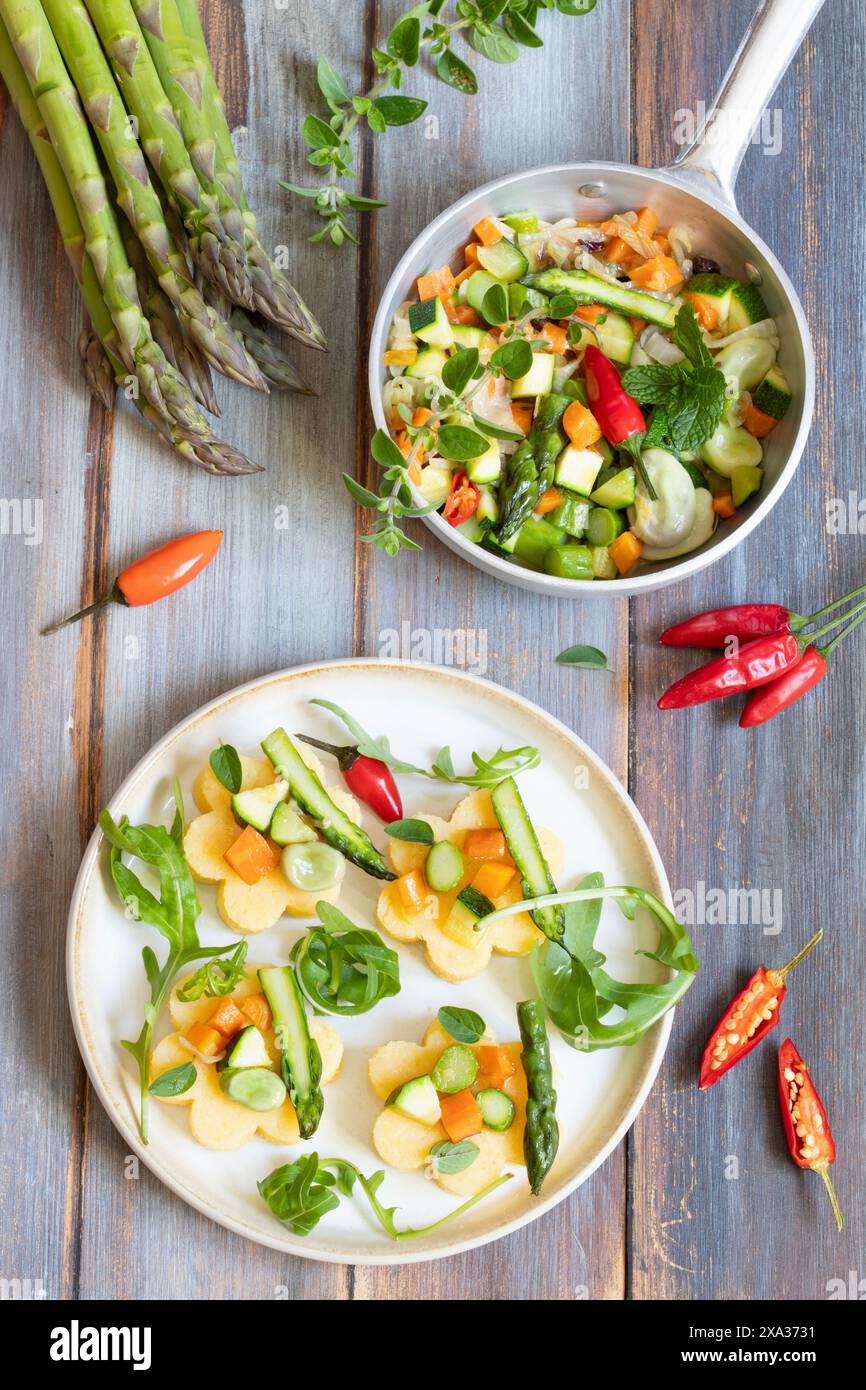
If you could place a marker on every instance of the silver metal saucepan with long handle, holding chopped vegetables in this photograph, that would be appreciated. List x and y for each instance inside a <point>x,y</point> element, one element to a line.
<point>698,191</point>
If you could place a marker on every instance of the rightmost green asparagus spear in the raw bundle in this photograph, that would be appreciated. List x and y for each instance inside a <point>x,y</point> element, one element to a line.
<point>276,298</point>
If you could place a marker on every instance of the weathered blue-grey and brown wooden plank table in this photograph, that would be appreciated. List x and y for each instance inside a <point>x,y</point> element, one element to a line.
<point>700,1202</point>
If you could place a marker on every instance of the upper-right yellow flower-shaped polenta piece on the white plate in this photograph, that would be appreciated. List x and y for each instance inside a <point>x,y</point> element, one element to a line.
<point>514,936</point>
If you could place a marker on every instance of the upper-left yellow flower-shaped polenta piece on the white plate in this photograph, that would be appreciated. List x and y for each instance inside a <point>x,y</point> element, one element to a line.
<point>250,908</point>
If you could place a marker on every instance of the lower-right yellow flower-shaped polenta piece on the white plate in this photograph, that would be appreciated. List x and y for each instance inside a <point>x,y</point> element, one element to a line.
<point>405,1143</point>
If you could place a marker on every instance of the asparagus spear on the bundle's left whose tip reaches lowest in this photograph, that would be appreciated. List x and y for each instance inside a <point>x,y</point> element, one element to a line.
<point>197,445</point>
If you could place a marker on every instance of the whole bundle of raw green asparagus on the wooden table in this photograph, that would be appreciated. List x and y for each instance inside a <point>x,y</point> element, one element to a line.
<point>173,273</point>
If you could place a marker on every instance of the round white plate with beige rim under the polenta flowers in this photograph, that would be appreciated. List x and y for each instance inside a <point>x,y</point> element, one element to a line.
<point>420,708</point>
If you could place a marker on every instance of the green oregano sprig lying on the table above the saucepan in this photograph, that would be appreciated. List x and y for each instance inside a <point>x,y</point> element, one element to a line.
<point>494,28</point>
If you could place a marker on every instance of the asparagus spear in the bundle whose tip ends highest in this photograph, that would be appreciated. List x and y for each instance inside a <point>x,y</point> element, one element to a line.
<point>216,248</point>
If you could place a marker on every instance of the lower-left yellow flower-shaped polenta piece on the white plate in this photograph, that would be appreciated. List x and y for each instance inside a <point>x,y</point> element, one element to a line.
<point>215,1120</point>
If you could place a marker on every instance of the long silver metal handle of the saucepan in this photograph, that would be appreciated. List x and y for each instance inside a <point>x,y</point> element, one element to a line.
<point>761,62</point>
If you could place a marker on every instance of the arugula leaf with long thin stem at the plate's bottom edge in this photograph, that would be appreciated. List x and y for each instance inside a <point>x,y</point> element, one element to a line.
<point>300,1195</point>
